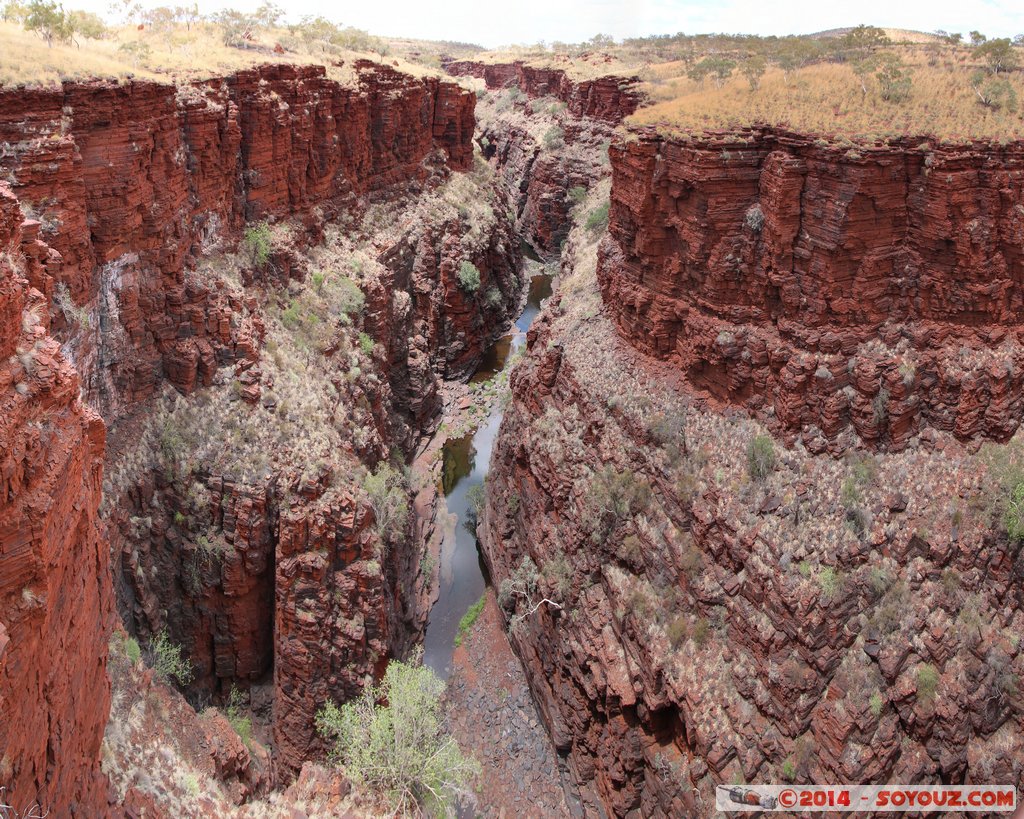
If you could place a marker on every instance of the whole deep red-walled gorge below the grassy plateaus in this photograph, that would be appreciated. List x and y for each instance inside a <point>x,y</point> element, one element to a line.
<point>748,451</point>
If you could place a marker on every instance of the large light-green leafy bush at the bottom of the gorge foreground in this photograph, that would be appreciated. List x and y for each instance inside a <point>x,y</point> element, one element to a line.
<point>400,748</point>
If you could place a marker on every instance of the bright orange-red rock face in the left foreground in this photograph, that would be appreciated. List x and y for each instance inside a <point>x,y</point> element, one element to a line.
<point>56,597</point>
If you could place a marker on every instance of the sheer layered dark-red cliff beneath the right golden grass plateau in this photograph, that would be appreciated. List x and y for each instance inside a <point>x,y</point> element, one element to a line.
<point>838,295</point>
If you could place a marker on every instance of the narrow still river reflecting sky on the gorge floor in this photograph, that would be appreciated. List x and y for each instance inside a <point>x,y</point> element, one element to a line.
<point>465,465</point>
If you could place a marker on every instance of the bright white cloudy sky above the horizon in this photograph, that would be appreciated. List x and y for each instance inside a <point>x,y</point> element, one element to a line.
<point>493,24</point>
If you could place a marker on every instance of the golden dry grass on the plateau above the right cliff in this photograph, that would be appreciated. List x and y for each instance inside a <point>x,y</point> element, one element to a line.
<point>828,99</point>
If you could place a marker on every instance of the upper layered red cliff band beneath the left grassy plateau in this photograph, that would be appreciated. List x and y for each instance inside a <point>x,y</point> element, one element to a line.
<point>131,183</point>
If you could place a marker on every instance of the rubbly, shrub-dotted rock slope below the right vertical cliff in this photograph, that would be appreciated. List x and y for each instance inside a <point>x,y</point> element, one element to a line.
<point>688,619</point>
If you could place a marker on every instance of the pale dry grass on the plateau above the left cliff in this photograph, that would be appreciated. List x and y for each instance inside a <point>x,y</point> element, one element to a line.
<point>25,59</point>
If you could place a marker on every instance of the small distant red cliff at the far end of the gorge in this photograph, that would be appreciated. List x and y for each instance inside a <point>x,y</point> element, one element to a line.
<point>611,99</point>
